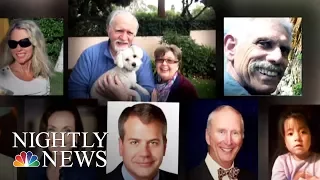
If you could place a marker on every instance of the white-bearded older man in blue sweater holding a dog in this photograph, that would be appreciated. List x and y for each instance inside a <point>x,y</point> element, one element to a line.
<point>122,27</point>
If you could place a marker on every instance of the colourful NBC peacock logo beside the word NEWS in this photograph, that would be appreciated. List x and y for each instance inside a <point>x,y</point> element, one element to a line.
<point>26,160</point>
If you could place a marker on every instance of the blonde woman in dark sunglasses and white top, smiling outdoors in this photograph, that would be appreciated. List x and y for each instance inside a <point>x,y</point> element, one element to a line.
<point>24,65</point>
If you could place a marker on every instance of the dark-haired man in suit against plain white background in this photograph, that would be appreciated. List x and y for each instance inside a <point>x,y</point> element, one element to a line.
<point>142,144</point>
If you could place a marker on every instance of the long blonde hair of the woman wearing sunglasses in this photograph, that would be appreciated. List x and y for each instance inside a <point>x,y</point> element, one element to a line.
<point>40,63</point>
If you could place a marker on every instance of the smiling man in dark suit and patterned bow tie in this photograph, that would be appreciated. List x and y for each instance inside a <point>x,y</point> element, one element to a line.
<point>224,136</point>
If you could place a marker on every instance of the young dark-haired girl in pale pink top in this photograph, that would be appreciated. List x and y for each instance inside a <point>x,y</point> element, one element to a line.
<point>299,163</point>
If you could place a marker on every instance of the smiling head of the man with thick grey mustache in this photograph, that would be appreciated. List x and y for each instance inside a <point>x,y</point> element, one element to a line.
<point>261,57</point>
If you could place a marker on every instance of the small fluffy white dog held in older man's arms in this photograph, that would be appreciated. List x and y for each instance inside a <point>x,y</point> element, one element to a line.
<point>128,61</point>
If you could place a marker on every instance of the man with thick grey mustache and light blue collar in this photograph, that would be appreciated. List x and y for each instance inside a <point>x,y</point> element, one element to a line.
<point>256,52</point>
